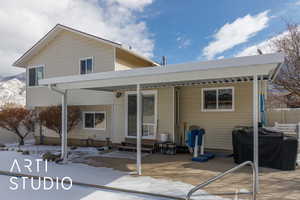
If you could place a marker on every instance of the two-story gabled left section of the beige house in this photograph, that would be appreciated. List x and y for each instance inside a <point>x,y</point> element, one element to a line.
<point>64,51</point>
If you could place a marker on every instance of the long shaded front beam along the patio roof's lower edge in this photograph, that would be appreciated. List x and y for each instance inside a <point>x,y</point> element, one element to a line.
<point>163,80</point>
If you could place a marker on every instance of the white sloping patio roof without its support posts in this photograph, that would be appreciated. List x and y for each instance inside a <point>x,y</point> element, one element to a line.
<point>223,70</point>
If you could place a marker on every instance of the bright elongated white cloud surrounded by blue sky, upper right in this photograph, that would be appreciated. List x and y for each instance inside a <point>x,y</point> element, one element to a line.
<point>235,33</point>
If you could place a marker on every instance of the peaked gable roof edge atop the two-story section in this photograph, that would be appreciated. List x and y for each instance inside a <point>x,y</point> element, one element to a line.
<point>21,62</point>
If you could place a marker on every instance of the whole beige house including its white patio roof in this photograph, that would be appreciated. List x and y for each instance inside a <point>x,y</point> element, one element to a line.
<point>102,78</point>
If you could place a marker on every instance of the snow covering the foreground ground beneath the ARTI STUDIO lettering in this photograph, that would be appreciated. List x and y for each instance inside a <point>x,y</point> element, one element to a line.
<point>87,174</point>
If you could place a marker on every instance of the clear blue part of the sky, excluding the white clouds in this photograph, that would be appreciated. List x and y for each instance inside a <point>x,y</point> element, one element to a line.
<point>181,29</point>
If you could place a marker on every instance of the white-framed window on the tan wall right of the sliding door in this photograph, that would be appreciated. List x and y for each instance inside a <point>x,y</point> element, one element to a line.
<point>218,99</point>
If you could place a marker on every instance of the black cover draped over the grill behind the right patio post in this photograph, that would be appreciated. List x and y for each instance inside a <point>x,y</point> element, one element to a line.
<point>275,150</point>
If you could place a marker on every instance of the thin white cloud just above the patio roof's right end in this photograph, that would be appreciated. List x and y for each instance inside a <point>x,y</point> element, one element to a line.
<point>265,46</point>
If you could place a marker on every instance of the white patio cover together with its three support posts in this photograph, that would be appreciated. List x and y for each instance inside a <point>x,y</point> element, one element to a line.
<point>238,69</point>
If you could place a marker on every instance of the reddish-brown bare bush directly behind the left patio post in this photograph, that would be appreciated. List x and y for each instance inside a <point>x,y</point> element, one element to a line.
<point>50,117</point>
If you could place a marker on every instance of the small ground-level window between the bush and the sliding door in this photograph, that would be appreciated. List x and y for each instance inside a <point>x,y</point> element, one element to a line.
<point>94,120</point>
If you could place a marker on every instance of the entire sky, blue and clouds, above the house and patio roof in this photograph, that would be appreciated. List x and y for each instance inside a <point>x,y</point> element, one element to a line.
<point>183,31</point>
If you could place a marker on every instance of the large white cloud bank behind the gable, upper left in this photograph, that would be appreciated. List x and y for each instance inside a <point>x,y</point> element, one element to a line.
<point>22,23</point>
